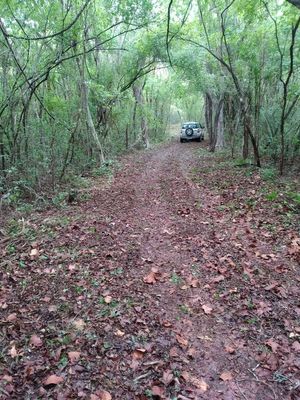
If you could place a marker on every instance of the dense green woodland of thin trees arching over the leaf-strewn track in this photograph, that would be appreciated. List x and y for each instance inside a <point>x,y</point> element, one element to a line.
<point>82,81</point>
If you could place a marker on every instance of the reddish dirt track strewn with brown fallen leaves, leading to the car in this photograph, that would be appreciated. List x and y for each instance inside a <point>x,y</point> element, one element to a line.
<point>164,284</point>
